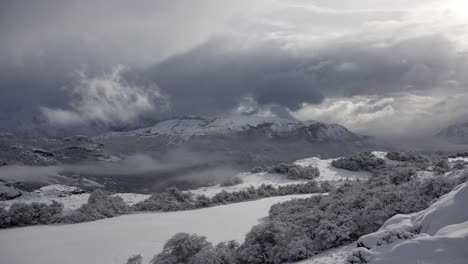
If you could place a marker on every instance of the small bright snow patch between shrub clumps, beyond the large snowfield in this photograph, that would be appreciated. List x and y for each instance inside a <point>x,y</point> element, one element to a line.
<point>330,173</point>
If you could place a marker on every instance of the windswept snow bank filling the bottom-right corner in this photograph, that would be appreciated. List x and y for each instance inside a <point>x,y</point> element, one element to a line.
<point>436,235</point>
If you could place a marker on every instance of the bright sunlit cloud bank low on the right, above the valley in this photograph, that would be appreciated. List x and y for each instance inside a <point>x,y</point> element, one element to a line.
<point>402,115</point>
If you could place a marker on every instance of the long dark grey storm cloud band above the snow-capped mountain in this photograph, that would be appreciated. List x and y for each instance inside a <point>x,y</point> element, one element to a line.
<point>213,77</point>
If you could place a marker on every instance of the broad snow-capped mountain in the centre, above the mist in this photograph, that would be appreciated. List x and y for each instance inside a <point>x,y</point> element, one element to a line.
<point>256,138</point>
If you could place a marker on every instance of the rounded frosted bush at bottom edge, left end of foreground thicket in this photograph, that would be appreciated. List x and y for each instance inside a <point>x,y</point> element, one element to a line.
<point>181,248</point>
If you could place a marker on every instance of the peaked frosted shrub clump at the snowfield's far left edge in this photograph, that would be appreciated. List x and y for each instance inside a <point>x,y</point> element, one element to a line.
<point>100,205</point>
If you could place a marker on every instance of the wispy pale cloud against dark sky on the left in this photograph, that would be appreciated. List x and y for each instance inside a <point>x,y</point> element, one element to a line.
<point>107,99</point>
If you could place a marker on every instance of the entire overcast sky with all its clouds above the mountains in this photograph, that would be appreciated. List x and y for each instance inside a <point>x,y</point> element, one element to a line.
<point>381,68</point>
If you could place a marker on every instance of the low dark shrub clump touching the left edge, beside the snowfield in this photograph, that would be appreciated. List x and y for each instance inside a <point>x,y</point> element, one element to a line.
<point>21,214</point>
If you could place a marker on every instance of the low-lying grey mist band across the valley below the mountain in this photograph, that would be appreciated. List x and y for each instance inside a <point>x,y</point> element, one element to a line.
<point>134,173</point>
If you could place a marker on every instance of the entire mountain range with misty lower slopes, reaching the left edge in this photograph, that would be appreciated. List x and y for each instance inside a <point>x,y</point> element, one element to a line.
<point>182,152</point>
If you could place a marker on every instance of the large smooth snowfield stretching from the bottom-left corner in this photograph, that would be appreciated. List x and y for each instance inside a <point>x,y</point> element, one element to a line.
<point>113,240</point>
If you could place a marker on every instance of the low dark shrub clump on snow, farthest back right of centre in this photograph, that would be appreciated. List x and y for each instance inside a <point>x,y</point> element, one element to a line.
<point>363,161</point>
